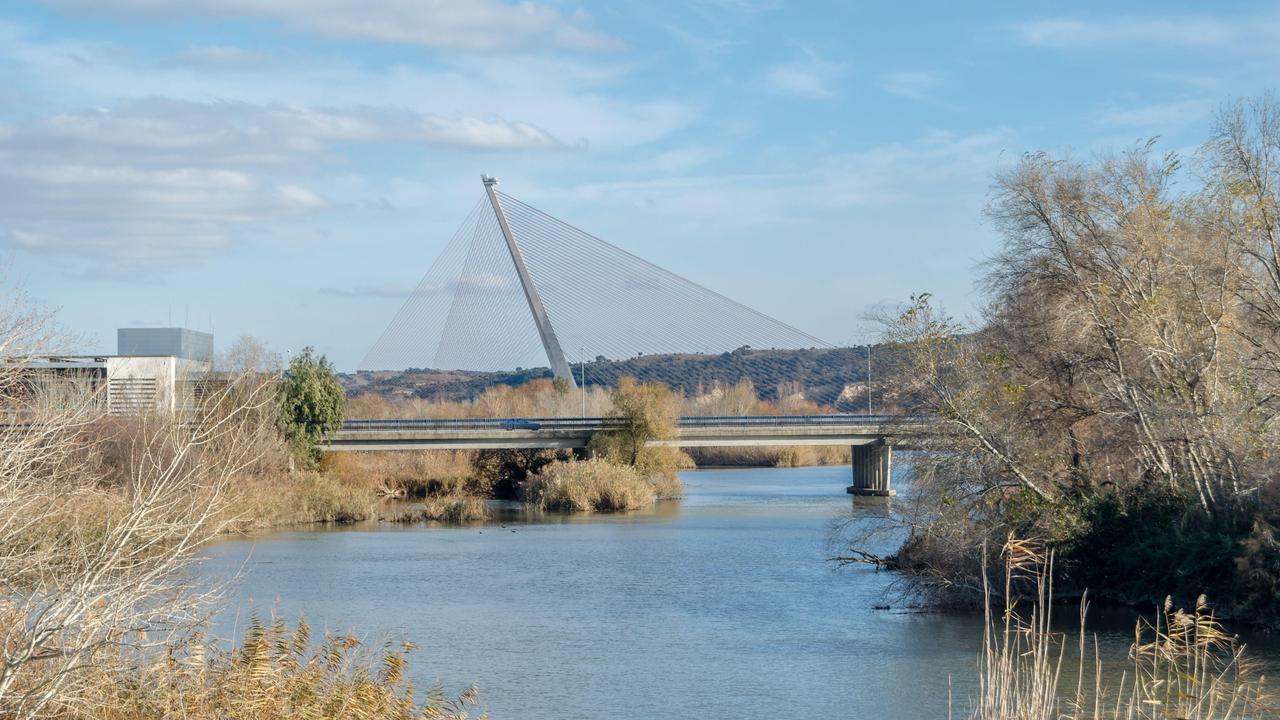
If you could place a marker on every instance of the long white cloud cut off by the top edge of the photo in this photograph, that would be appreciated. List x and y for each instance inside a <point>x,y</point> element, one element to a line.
<point>454,25</point>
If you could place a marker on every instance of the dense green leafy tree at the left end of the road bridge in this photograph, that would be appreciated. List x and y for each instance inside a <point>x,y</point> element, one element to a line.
<point>313,403</point>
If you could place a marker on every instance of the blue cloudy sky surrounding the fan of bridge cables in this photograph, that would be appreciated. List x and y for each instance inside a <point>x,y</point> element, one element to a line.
<point>290,168</point>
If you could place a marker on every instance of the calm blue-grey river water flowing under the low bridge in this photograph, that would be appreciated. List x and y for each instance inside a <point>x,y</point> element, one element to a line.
<point>720,605</point>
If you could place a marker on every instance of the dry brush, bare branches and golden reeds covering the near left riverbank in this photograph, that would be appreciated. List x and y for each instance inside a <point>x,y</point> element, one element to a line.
<point>103,522</point>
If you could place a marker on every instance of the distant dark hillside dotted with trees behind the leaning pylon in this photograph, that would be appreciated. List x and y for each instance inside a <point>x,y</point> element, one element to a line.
<point>833,377</point>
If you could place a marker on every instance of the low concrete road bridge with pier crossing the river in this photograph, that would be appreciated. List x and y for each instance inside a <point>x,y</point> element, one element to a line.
<point>871,438</point>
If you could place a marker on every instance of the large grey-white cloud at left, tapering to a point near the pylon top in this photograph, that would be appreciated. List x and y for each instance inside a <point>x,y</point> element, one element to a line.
<point>159,181</point>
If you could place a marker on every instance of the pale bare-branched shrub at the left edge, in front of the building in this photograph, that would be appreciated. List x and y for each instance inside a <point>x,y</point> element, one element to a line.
<point>94,569</point>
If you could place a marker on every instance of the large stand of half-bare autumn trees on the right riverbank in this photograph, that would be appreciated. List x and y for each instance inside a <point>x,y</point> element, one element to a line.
<point>1119,400</point>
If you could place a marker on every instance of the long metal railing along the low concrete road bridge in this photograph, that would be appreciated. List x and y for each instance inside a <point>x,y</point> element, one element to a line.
<point>691,422</point>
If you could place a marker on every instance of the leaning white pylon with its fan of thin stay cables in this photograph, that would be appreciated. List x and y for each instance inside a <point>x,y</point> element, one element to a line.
<point>516,285</point>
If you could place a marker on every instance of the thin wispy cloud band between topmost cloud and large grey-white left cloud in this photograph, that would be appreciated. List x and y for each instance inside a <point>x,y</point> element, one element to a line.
<point>546,98</point>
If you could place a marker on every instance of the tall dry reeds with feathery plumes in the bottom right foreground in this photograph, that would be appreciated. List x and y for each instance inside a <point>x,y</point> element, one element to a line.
<point>1182,666</point>
